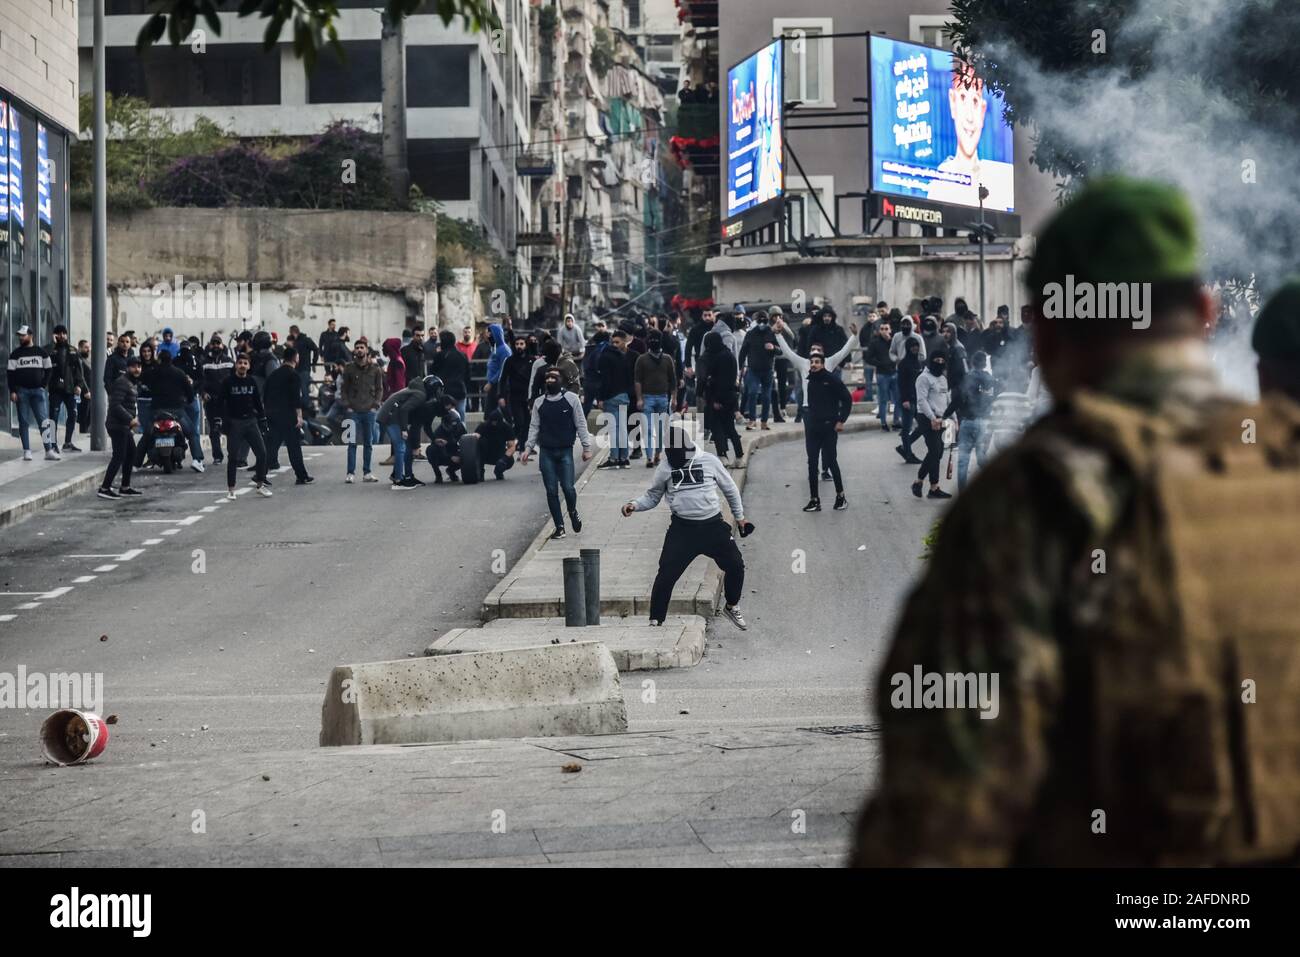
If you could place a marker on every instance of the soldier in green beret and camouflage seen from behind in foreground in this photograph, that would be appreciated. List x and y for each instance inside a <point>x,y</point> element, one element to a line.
<point>1124,579</point>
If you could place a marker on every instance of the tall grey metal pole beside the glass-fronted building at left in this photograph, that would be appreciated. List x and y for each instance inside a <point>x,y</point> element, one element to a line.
<point>99,245</point>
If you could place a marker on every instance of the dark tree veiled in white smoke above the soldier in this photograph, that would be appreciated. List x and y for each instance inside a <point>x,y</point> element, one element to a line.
<point>1199,93</point>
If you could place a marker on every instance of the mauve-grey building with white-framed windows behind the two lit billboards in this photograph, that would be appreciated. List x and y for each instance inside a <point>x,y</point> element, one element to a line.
<point>878,261</point>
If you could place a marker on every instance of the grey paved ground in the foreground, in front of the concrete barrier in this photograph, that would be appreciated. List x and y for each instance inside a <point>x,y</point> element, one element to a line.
<point>707,799</point>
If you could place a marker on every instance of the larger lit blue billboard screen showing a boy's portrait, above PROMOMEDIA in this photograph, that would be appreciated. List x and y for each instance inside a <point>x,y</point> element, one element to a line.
<point>937,131</point>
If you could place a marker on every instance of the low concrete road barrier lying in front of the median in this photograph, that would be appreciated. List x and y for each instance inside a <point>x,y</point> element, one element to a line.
<point>530,692</point>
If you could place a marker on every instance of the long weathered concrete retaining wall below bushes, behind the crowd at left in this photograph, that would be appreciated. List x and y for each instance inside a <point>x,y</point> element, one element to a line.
<point>370,271</point>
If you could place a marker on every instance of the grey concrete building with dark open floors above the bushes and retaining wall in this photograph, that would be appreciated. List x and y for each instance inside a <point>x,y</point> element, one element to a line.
<point>467,98</point>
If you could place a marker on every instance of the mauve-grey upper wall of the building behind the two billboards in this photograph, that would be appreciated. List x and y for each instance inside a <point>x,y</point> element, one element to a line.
<point>842,154</point>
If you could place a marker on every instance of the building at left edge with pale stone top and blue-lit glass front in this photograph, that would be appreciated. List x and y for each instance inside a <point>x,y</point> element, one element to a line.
<point>38,118</point>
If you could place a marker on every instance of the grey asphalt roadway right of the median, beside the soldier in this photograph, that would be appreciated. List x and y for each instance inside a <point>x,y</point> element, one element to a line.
<point>817,636</point>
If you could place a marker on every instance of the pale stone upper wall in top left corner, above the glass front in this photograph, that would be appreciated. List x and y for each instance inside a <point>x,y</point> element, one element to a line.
<point>38,57</point>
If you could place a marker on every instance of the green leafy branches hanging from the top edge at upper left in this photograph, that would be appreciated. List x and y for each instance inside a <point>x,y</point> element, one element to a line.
<point>313,21</point>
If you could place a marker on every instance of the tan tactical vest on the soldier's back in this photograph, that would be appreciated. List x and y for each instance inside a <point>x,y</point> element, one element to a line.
<point>1190,643</point>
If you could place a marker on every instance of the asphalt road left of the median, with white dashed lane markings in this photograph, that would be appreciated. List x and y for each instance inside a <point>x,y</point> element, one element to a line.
<point>289,587</point>
